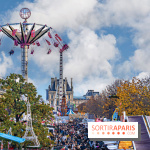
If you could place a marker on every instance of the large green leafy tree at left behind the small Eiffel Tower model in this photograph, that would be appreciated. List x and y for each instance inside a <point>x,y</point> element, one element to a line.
<point>13,106</point>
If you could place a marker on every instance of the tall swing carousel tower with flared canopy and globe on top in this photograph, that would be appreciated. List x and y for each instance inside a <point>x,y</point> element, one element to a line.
<point>24,36</point>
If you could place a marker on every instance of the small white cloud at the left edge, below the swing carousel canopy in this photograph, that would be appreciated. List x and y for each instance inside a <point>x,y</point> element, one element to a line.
<point>5,64</point>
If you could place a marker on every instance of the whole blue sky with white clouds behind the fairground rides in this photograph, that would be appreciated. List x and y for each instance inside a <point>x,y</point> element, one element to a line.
<point>108,40</point>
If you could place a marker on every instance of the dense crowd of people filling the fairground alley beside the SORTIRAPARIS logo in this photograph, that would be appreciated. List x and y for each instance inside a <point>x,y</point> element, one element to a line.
<point>74,136</point>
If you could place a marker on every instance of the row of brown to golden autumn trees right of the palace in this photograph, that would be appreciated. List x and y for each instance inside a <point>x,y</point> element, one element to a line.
<point>133,97</point>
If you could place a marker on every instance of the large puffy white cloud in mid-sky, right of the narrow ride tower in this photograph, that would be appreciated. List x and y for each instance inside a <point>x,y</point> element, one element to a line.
<point>88,60</point>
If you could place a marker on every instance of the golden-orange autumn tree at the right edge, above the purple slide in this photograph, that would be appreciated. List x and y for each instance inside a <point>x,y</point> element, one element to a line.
<point>134,97</point>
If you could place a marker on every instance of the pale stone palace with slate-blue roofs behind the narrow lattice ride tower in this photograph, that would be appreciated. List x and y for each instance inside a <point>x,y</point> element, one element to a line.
<point>71,101</point>
